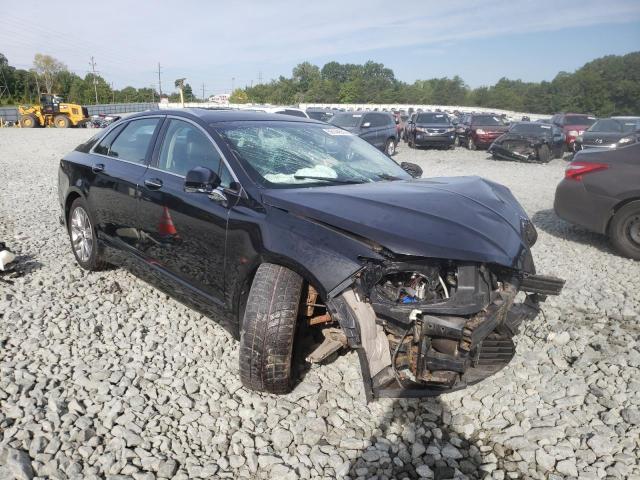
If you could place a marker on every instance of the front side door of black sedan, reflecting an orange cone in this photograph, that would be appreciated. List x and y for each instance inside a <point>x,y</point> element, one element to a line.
<point>184,232</point>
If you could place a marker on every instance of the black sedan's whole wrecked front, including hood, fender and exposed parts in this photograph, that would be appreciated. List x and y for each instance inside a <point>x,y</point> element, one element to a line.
<point>428,279</point>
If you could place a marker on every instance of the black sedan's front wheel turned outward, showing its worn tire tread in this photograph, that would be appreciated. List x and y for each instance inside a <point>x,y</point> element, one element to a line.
<point>268,329</point>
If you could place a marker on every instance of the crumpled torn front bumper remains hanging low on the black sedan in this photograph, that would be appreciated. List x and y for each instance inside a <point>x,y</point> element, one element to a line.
<point>439,353</point>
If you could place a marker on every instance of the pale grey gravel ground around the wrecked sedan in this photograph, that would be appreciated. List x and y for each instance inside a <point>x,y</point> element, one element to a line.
<point>102,375</point>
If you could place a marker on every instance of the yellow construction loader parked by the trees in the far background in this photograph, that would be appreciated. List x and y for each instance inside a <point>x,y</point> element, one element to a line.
<point>52,111</point>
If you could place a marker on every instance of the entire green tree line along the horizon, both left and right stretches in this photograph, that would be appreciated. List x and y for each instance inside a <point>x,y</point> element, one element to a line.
<point>603,86</point>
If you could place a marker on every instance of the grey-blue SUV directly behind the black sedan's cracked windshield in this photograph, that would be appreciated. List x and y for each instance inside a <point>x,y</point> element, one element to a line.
<point>377,128</point>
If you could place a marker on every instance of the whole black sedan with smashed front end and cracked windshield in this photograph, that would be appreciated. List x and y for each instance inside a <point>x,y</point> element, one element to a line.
<point>270,225</point>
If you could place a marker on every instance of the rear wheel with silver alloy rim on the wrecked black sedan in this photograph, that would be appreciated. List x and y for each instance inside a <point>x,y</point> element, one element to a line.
<point>82,233</point>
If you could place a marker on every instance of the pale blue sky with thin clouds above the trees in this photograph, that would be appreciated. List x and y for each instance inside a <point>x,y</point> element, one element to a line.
<point>214,42</point>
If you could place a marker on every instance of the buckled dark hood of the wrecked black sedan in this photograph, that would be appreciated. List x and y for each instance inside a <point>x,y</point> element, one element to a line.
<point>461,218</point>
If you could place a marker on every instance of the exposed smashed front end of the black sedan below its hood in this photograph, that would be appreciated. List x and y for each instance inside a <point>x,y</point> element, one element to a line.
<point>424,327</point>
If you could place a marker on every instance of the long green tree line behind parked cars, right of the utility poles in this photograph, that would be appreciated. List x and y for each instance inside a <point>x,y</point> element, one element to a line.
<point>603,86</point>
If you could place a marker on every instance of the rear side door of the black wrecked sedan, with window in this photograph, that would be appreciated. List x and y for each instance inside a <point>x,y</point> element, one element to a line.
<point>119,162</point>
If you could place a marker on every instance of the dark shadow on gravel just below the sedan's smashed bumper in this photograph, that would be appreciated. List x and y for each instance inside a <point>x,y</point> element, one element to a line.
<point>414,439</point>
